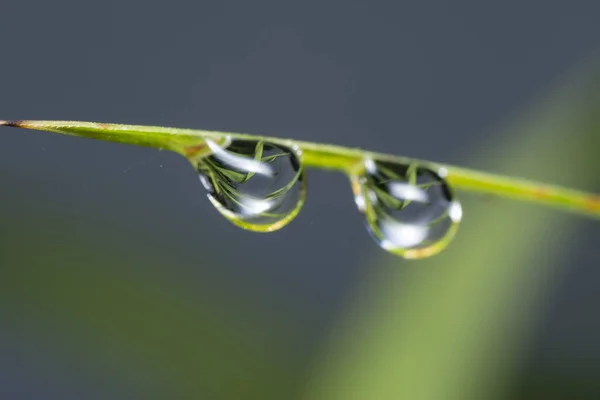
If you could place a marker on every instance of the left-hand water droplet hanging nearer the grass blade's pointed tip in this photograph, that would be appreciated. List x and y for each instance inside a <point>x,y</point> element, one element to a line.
<point>256,185</point>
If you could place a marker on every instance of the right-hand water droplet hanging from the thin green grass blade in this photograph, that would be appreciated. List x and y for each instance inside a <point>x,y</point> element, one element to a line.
<point>410,210</point>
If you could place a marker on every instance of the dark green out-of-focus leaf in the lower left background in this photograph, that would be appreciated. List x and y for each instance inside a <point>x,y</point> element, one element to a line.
<point>127,320</point>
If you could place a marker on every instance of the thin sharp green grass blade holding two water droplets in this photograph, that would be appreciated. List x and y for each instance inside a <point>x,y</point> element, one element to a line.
<point>191,144</point>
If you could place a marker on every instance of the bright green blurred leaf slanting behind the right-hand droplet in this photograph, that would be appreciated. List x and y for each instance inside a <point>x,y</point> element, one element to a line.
<point>454,326</point>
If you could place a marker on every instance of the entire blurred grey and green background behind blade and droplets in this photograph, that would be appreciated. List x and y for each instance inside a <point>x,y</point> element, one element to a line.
<point>119,280</point>
